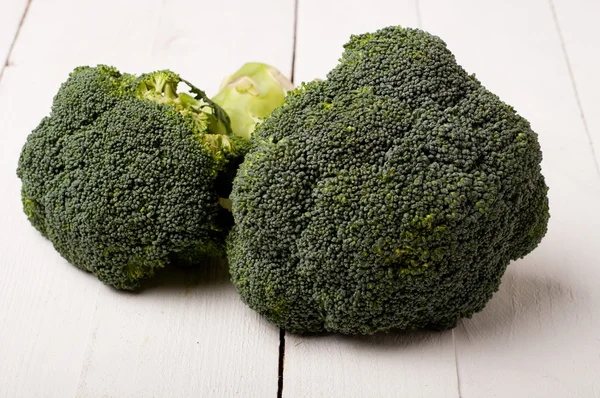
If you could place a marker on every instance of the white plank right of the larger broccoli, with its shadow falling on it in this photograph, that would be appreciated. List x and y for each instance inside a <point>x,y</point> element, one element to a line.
<point>538,337</point>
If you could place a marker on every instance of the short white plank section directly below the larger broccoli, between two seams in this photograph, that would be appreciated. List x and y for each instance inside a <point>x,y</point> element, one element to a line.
<point>413,364</point>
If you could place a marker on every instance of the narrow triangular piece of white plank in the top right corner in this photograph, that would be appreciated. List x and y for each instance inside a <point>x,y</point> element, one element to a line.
<point>578,27</point>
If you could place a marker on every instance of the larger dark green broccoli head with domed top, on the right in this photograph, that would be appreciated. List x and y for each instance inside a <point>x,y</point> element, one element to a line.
<point>391,195</point>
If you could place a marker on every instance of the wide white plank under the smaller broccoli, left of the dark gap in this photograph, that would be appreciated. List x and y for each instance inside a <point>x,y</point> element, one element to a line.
<point>63,333</point>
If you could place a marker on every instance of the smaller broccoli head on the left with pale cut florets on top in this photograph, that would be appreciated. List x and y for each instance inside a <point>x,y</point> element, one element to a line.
<point>120,176</point>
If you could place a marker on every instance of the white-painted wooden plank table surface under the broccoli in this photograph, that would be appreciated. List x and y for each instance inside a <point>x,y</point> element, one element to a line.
<point>63,333</point>
